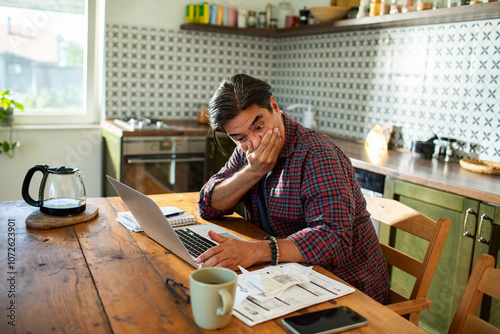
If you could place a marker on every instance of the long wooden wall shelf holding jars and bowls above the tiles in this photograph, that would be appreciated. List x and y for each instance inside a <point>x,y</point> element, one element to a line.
<point>477,12</point>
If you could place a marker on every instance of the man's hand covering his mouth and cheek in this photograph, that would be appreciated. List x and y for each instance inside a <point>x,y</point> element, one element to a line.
<point>264,158</point>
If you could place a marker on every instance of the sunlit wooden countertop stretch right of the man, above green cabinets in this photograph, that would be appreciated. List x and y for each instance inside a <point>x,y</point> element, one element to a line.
<point>400,164</point>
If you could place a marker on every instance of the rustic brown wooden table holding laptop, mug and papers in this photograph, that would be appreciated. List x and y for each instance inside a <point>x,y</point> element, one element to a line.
<point>98,277</point>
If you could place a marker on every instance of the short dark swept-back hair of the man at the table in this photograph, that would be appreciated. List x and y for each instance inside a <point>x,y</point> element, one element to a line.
<point>235,94</point>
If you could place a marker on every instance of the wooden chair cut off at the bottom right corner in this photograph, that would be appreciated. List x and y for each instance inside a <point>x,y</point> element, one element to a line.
<point>483,280</point>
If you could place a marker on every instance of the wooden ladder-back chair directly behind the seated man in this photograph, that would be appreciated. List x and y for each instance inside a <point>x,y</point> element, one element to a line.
<point>401,217</point>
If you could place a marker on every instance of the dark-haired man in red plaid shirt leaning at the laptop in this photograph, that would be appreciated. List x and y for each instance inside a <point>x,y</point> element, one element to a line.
<point>296,184</point>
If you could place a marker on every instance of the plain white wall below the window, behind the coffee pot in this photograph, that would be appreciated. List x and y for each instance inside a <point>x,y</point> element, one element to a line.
<point>79,148</point>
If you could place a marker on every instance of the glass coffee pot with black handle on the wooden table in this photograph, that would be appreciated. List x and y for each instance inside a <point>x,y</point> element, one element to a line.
<point>61,192</point>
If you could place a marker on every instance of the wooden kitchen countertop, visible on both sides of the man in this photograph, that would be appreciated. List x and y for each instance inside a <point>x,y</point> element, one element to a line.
<point>398,164</point>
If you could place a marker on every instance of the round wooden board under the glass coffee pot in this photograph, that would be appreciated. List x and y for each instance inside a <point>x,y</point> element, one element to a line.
<point>42,221</point>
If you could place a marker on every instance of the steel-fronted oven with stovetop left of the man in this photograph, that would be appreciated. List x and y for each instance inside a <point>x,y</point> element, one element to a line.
<point>157,155</point>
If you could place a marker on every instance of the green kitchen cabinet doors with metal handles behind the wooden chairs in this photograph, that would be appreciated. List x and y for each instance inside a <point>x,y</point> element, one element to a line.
<point>465,242</point>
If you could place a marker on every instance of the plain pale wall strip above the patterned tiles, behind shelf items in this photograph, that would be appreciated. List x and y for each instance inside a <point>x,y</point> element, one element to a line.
<point>171,13</point>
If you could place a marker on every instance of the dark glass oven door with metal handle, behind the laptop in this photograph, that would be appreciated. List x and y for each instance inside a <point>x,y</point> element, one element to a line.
<point>166,173</point>
